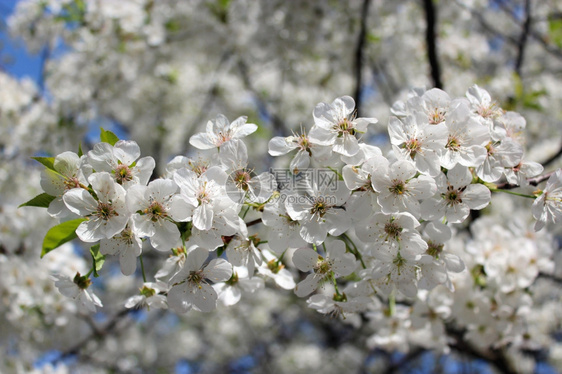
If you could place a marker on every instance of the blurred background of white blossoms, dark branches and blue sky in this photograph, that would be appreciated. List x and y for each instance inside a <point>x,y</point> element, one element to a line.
<point>155,71</point>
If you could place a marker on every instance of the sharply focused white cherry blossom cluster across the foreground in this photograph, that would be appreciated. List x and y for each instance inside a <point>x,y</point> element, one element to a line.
<point>368,225</point>
